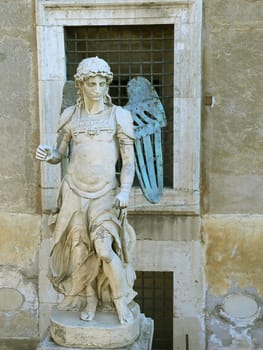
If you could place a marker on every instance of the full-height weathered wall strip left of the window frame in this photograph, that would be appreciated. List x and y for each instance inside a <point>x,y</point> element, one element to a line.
<point>19,177</point>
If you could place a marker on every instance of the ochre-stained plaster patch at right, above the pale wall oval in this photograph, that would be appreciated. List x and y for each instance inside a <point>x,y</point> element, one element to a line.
<point>233,252</point>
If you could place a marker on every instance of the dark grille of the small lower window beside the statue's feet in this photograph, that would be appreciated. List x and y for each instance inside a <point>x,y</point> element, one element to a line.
<point>155,297</point>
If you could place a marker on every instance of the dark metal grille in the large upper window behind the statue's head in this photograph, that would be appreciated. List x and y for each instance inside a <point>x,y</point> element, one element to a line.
<point>144,50</point>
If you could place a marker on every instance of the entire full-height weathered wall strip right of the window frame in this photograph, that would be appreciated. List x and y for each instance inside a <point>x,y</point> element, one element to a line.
<point>232,169</point>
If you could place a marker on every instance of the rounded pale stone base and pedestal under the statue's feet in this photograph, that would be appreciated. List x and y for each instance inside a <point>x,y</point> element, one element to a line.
<point>97,336</point>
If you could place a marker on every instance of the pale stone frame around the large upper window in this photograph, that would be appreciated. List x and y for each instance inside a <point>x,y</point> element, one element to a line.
<point>186,16</point>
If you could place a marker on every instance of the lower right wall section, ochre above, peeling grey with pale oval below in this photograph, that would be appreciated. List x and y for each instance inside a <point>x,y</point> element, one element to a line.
<point>233,269</point>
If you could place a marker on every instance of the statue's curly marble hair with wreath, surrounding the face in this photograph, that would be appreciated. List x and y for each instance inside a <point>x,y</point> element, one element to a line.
<point>90,67</point>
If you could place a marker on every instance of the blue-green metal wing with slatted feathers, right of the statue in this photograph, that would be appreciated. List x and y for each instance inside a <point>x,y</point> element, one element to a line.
<point>149,117</point>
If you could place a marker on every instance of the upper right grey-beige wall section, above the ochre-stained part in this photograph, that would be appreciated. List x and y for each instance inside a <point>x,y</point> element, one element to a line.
<point>232,127</point>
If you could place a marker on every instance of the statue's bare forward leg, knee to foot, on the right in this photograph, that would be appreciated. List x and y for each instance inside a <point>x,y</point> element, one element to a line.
<point>114,271</point>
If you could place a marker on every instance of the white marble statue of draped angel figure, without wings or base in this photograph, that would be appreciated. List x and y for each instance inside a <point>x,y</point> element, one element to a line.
<point>92,260</point>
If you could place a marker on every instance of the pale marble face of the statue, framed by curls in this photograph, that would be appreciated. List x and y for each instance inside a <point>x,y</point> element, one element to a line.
<point>95,88</point>
